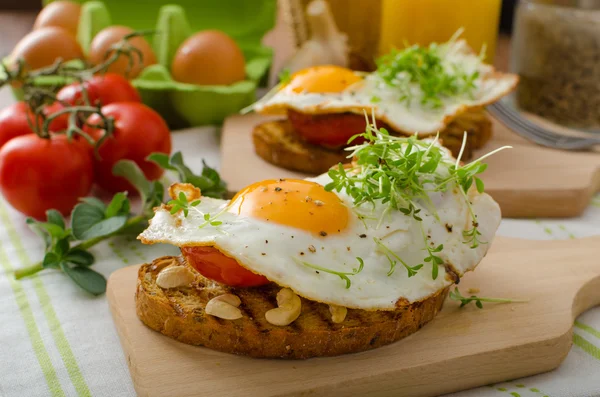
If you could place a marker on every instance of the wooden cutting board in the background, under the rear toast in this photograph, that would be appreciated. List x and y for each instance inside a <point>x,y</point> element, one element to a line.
<point>527,181</point>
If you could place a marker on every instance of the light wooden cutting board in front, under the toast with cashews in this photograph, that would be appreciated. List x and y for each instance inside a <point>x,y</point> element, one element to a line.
<point>459,349</point>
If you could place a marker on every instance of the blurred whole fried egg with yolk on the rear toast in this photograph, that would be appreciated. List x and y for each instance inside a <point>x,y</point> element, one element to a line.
<point>333,89</point>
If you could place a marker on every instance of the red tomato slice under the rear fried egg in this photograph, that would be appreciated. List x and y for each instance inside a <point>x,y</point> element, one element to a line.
<point>331,130</point>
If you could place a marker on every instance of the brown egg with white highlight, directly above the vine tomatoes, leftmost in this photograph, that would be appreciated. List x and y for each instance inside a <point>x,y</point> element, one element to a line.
<point>43,46</point>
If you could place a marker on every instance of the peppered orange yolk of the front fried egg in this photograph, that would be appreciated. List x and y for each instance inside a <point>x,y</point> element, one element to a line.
<point>292,202</point>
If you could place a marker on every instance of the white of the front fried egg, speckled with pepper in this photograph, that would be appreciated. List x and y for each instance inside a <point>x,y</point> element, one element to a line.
<point>275,250</point>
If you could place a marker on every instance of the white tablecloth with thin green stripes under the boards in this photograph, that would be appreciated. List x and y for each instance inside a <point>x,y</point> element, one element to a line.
<point>57,340</point>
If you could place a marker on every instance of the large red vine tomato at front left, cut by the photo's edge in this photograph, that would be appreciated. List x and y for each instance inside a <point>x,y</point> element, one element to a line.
<point>38,174</point>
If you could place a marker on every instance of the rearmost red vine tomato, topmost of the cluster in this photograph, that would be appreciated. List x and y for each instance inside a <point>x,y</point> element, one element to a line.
<point>102,89</point>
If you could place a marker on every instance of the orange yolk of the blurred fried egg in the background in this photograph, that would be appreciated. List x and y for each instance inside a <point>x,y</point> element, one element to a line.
<point>322,79</point>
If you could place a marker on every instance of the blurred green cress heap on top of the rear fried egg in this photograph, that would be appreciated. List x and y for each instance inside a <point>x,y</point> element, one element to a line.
<point>426,68</point>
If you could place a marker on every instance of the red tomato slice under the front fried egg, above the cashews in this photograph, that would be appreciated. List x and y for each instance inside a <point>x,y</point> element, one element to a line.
<point>212,264</point>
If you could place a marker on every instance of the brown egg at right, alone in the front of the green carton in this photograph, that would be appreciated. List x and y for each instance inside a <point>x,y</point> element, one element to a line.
<point>209,58</point>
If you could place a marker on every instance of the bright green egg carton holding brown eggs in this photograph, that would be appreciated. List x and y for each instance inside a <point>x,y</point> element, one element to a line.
<point>181,104</point>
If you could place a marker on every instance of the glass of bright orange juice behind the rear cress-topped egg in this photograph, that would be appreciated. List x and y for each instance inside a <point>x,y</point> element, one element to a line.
<point>426,21</point>
